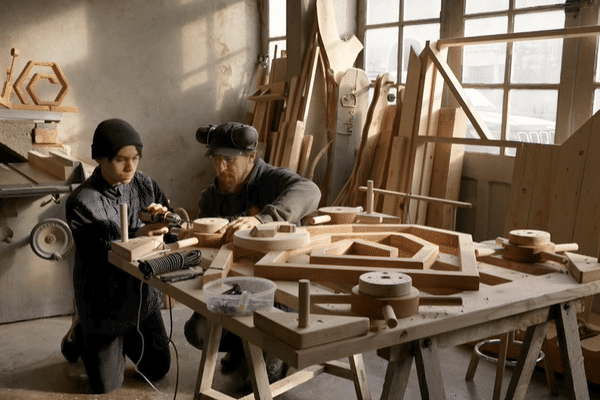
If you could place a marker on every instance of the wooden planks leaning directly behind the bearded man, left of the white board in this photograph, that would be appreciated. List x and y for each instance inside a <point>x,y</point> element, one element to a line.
<point>281,129</point>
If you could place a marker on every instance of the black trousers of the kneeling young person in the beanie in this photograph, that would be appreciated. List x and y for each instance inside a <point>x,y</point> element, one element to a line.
<point>104,356</point>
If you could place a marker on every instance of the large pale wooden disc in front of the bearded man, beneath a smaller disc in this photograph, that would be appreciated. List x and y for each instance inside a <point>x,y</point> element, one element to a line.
<point>282,241</point>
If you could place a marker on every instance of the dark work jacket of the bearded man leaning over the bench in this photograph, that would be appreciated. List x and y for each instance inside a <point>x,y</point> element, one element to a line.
<point>270,194</point>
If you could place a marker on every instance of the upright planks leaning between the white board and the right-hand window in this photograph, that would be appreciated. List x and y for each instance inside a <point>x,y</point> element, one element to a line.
<point>398,151</point>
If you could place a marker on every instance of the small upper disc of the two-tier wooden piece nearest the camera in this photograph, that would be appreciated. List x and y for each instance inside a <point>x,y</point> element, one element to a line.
<point>385,284</point>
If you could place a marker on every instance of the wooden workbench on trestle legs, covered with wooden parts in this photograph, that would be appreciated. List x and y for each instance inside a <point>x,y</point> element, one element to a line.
<point>511,297</point>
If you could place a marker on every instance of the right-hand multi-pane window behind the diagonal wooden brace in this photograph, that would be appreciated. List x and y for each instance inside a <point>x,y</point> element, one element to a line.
<point>514,85</point>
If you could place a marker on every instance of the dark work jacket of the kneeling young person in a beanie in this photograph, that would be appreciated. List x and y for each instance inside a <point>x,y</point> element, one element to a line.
<point>107,298</point>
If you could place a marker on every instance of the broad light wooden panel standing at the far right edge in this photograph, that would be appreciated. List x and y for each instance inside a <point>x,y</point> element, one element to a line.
<point>556,188</point>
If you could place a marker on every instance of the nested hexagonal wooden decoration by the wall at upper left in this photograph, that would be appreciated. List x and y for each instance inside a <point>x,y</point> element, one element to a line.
<point>58,77</point>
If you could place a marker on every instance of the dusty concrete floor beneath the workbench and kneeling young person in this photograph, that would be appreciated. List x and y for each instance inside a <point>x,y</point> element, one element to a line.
<point>32,368</point>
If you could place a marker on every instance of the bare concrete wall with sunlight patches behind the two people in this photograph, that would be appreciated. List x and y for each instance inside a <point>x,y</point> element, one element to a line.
<point>166,66</point>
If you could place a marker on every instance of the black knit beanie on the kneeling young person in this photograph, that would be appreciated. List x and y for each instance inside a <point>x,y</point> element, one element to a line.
<point>111,136</point>
